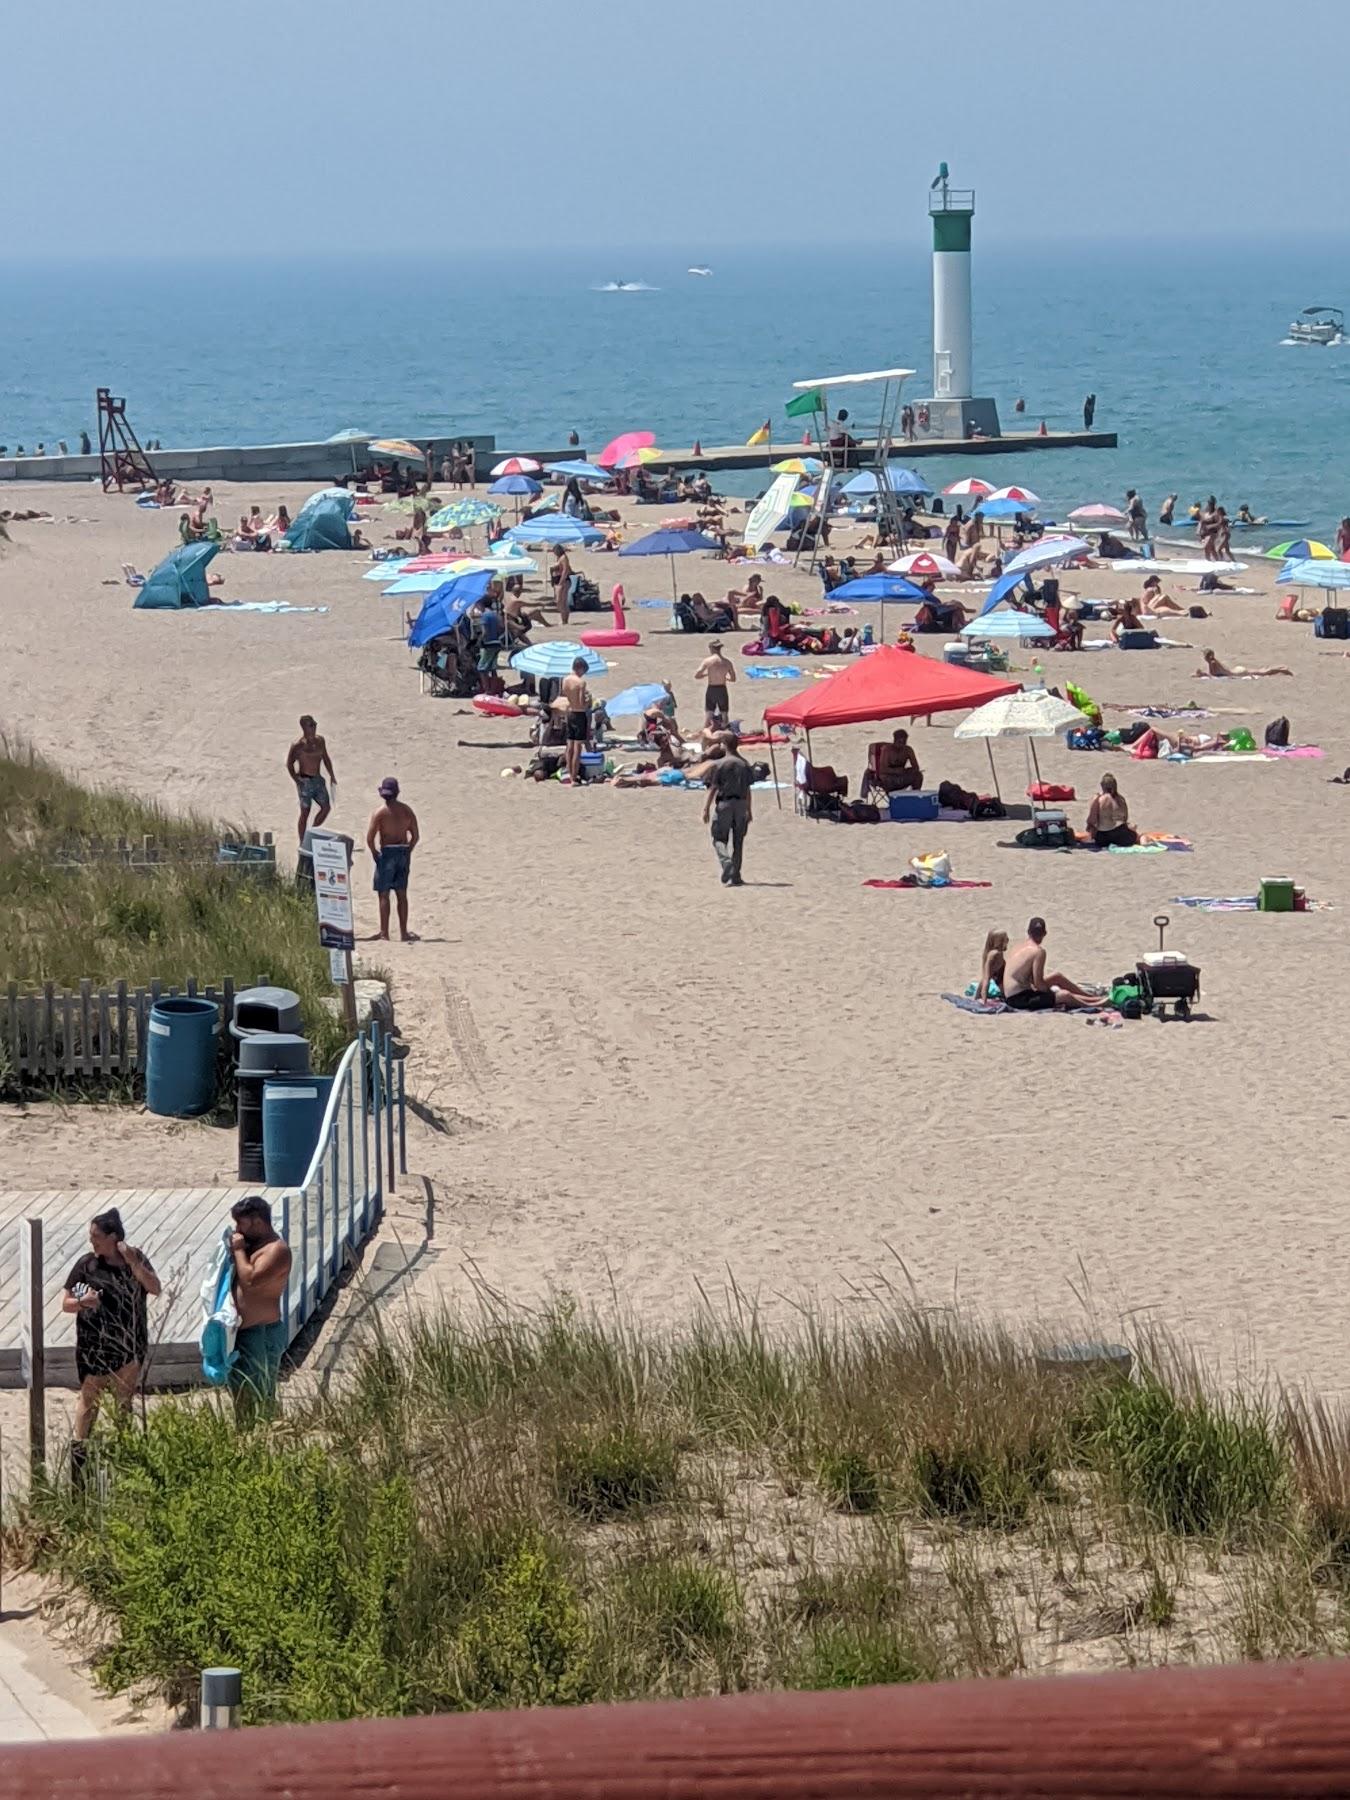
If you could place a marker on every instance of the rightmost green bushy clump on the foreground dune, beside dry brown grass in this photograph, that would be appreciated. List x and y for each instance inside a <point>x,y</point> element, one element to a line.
<point>1185,1462</point>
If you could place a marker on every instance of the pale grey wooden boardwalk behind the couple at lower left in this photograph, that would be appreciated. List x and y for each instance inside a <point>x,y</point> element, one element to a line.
<point>179,1230</point>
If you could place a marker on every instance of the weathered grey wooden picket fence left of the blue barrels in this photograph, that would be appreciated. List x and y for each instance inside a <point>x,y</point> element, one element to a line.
<point>87,1034</point>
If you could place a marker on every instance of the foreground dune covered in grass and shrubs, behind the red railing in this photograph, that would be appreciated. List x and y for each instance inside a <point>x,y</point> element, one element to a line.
<point>507,1507</point>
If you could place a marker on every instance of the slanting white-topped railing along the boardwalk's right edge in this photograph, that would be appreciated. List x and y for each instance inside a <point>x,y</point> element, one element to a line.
<point>341,1200</point>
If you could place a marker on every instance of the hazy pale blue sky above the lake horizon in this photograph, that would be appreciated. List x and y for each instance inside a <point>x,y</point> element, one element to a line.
<point>276,127</point>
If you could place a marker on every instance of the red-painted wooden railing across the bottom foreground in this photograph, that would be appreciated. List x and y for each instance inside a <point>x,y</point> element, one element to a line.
<point>1165,1732</point>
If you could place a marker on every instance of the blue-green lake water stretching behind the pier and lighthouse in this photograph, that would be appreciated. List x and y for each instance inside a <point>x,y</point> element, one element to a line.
<point>1182,348</point>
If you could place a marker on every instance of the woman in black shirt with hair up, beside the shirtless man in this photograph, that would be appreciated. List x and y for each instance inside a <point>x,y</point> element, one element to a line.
<point>107,1291</point>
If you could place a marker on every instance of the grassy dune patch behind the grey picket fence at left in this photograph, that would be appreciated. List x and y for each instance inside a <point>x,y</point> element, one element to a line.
<point>105,924</point>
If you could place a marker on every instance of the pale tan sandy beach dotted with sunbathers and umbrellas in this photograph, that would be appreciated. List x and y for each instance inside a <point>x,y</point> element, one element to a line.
<point>631,1081</point>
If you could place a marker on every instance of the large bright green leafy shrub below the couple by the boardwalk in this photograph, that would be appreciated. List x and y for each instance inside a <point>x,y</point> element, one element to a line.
<point>222,1549</point>
